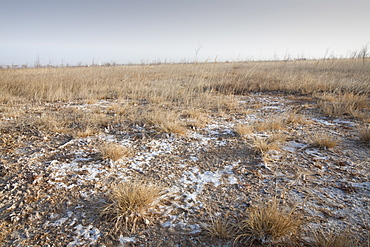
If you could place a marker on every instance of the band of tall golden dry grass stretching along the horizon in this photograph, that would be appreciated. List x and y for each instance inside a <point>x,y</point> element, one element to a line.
<point>184,84</point>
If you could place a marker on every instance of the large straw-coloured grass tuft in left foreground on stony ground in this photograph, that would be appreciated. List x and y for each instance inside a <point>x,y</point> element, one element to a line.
<point>131,204</point>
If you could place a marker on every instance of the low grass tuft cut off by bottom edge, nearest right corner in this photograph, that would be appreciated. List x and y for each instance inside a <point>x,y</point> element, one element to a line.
<point>319,238</point>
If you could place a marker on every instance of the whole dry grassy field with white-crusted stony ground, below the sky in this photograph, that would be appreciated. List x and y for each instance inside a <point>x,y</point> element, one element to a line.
<point>203,154</point>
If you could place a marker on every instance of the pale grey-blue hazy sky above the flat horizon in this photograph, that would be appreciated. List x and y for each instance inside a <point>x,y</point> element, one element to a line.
<point>143,31</point>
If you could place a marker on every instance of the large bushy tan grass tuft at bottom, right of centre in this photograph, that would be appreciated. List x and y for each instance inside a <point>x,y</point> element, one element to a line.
<point>269,223</point>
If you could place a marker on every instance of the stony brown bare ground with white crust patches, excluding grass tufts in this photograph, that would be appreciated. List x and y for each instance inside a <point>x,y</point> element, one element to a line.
<point>53,183</point>
